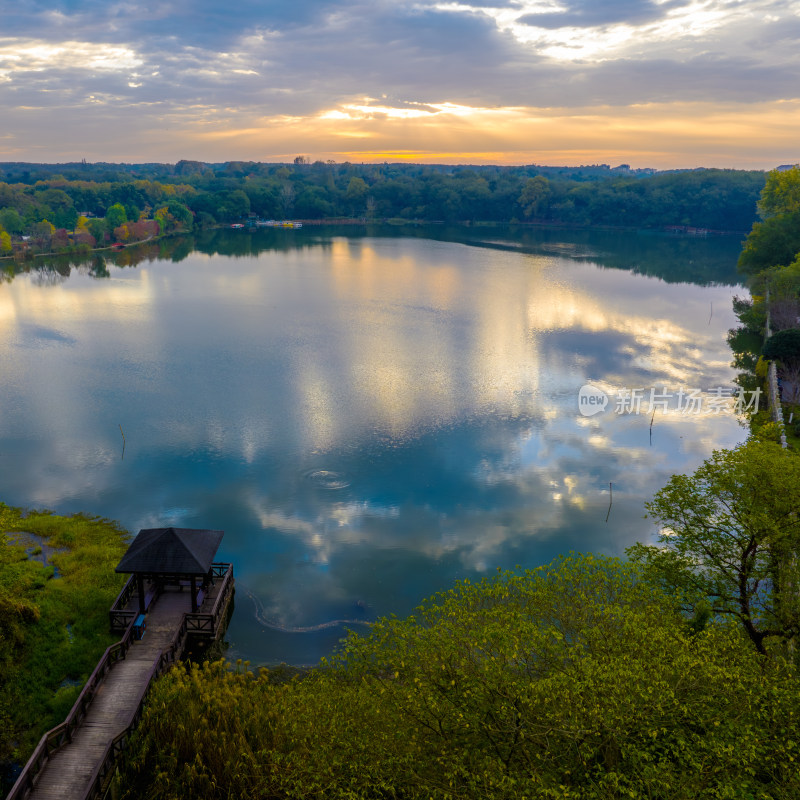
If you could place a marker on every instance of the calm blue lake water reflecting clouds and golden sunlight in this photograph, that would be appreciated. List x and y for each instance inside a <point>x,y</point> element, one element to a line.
<point>368,414</point>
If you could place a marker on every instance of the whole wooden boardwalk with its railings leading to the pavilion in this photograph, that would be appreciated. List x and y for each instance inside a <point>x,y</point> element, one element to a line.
<point>73,760</point>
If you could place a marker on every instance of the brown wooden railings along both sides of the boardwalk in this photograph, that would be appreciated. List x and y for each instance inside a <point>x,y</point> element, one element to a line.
<point>61,735</point>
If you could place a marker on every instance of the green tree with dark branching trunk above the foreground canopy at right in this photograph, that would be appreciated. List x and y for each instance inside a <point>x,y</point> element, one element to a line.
<point>729,536</point>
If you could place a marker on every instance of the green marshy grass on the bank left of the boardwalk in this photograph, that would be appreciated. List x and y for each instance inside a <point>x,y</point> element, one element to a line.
<point>57,582</point>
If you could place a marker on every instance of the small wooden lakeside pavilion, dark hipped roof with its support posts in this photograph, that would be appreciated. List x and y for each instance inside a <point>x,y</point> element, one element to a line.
<point>165,556</point>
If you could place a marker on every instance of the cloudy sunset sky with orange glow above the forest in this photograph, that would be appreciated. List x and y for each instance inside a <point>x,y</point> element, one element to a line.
<point>650,83</point>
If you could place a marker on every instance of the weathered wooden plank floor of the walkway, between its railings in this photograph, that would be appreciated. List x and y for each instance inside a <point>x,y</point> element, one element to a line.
<point>68,772</point>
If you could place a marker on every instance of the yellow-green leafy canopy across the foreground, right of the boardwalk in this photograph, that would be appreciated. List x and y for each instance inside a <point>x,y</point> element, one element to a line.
<point>574,680</point>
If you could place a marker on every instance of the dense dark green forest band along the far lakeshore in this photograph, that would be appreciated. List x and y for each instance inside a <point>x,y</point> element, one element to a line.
<point>63,207</point>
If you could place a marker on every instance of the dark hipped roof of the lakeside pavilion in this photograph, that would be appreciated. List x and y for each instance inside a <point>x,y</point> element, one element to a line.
<point>173,551</point>
